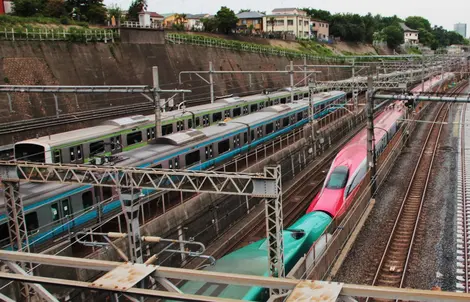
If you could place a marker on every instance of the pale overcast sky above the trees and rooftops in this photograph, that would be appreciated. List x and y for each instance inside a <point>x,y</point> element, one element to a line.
<point>444,13</point>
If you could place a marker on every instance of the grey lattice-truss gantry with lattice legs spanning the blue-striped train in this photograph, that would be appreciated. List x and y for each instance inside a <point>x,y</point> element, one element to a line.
<point>267,186</point>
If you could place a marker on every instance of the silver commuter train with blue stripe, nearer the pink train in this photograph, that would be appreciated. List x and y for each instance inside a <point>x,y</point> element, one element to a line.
<point>51,209</point>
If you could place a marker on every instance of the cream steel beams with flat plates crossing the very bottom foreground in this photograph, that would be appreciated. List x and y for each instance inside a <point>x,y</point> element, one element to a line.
<point>113,282</point>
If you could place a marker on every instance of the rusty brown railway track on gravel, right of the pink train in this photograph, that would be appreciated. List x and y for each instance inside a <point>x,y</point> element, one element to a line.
<point>393,265</point>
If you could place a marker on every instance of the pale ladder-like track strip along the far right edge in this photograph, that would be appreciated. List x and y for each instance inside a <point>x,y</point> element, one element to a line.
<point>463,206</point>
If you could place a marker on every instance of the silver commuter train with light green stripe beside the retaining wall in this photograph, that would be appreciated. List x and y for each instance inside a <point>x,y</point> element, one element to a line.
<point>128,133</point>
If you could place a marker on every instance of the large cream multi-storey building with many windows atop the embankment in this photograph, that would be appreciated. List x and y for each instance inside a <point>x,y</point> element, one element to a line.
<point>288,20</point>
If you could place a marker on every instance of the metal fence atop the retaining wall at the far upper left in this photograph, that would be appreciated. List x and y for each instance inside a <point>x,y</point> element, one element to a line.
<point>88,35</point>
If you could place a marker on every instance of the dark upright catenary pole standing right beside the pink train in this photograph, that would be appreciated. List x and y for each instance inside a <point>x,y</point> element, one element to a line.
<point>370,130</point>
